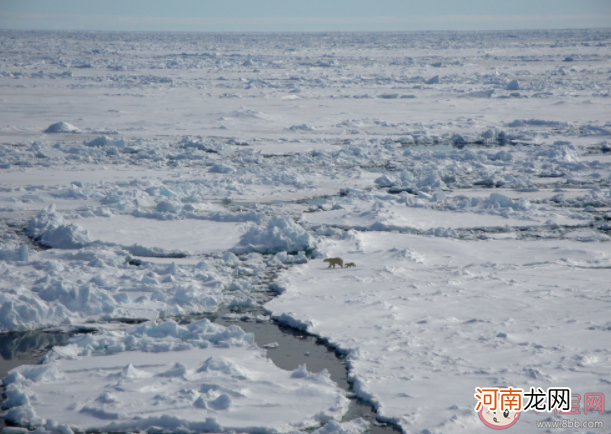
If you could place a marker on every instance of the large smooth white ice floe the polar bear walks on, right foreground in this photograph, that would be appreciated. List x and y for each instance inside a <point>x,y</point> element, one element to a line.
<point>424,321</point>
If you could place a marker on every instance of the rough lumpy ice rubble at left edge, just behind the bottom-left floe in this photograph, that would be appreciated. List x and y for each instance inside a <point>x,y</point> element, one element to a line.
<point>72,288</point>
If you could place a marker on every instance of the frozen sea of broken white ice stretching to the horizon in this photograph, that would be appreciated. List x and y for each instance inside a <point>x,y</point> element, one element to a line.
<point>150,179</point>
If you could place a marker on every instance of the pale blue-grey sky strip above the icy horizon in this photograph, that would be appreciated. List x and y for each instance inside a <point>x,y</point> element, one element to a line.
<point>303,15</point>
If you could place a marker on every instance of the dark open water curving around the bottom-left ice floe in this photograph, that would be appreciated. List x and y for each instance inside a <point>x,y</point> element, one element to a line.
<point>294,348</point>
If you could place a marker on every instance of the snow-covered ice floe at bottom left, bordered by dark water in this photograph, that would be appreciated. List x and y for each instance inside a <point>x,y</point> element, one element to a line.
<point>125,381</point>
